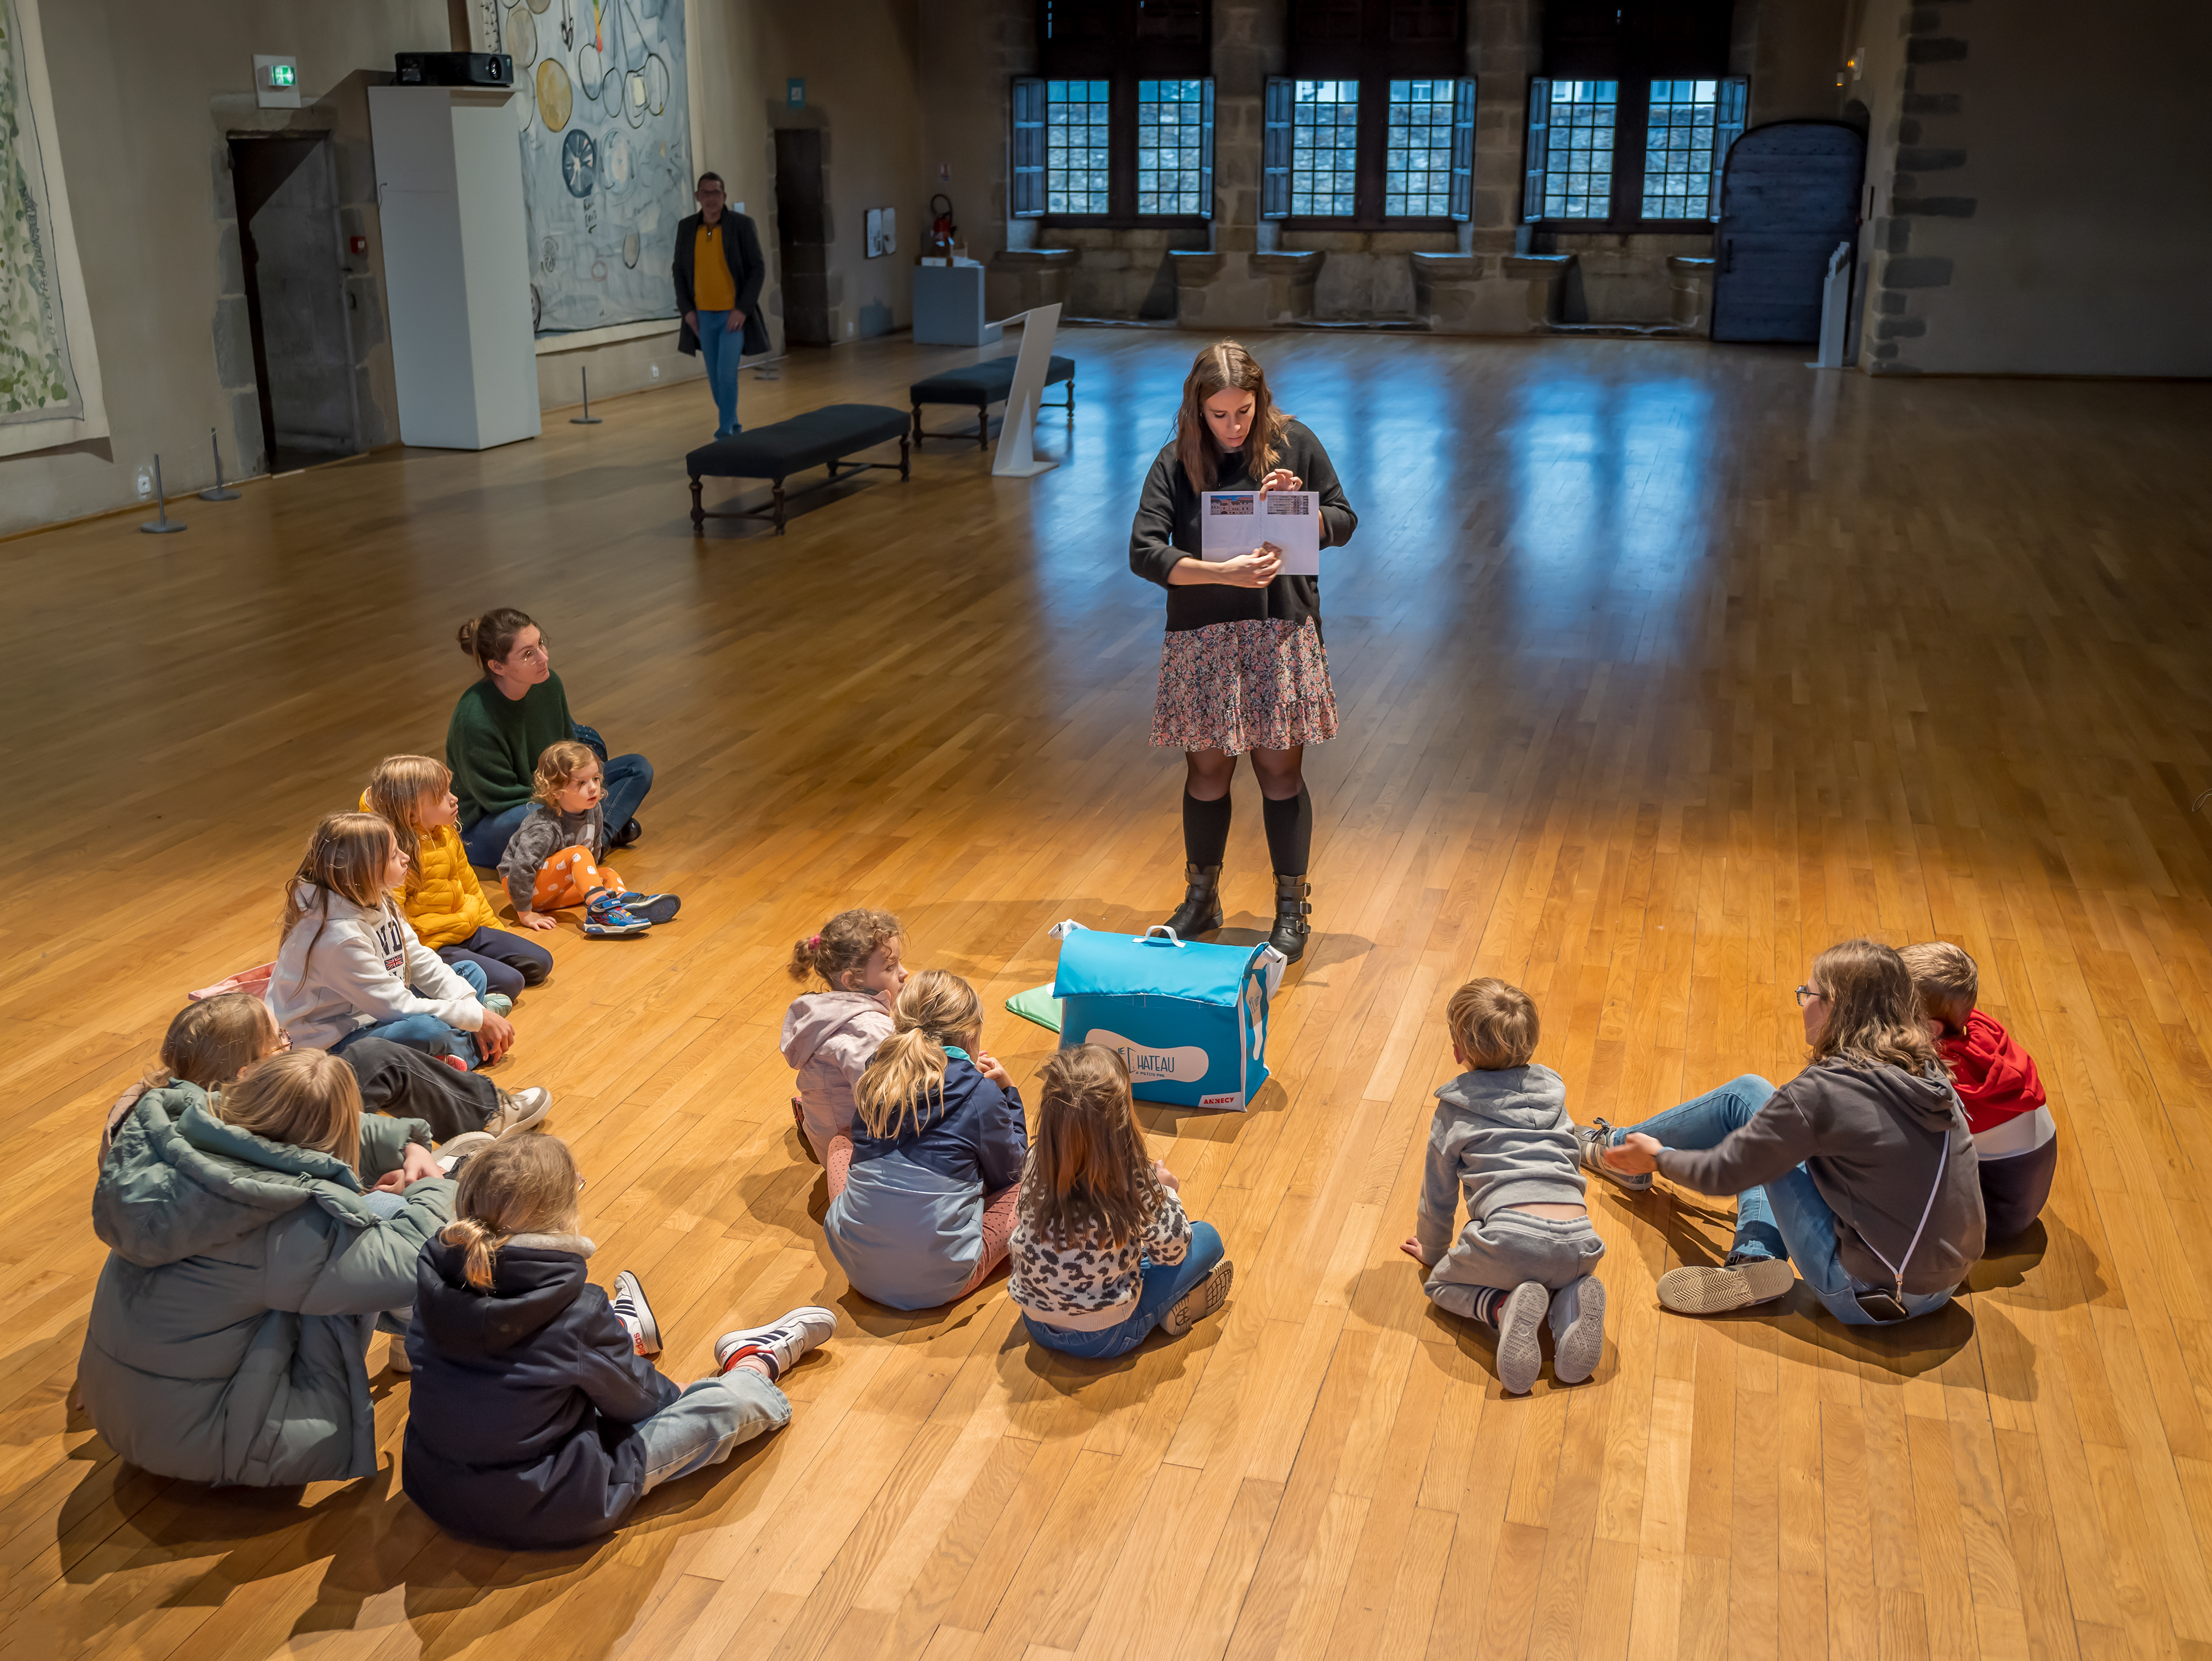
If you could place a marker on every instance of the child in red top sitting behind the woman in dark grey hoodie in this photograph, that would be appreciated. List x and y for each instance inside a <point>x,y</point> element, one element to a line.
<point>2014,1136</point>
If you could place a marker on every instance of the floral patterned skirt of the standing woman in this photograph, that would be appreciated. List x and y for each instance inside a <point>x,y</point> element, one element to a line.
<point>1258,685</point>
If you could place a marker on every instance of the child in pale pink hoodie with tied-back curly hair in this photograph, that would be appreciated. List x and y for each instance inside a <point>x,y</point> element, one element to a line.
<point>833,1036</point>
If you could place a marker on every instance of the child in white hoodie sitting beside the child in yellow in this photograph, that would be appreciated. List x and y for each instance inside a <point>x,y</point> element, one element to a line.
<point>351,968</point>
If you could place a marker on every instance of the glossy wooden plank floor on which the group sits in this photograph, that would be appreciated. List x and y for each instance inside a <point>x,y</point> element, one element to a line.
<point>1660,667</point>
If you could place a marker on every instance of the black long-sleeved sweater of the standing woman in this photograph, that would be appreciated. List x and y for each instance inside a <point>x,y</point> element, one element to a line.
<point>1167,530</point>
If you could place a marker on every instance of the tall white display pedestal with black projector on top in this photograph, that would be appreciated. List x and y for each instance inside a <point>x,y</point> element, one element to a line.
<point>457,264</point>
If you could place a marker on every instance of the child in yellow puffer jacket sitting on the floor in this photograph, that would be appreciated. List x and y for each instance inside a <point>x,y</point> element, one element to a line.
<point>444,899</point>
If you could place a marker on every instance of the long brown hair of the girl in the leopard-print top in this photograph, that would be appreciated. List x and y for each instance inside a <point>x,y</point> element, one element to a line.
<point>1087,1171</point>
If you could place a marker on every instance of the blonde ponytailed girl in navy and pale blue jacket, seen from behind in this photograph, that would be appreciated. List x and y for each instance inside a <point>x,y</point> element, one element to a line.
<point>924,1202</point>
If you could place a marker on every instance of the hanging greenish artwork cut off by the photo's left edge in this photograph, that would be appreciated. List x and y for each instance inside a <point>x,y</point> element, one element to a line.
<point>50,379</point>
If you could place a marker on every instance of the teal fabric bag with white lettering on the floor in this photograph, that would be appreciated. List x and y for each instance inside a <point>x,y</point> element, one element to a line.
<point>1189,1018</point>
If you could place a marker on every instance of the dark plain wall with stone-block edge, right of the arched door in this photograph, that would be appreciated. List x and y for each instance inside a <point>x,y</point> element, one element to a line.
<point>2038,189</point>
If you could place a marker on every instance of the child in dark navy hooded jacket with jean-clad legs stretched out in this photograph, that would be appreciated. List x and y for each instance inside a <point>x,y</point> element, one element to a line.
<point>536,1419</point>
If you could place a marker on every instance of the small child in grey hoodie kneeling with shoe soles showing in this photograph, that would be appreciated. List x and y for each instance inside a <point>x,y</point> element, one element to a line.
<point>1503,1136</point>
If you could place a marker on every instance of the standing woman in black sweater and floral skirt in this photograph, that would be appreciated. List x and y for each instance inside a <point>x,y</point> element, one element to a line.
<point>1244,667</point>
